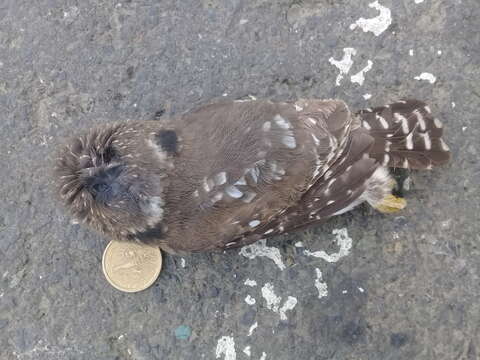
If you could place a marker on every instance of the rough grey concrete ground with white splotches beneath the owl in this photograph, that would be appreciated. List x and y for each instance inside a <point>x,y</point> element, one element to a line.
<point>408,288</point>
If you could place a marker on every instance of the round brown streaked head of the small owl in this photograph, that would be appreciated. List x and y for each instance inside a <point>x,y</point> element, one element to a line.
<point>107,179</point>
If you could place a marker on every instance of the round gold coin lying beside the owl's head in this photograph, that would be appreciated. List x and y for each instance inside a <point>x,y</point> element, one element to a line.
<point>131,267</point>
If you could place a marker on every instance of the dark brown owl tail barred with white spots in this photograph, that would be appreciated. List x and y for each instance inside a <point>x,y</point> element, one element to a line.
<point>406,135</point>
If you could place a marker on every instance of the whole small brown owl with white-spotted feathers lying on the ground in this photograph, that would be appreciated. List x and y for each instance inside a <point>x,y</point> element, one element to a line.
<point>231,173</point>
